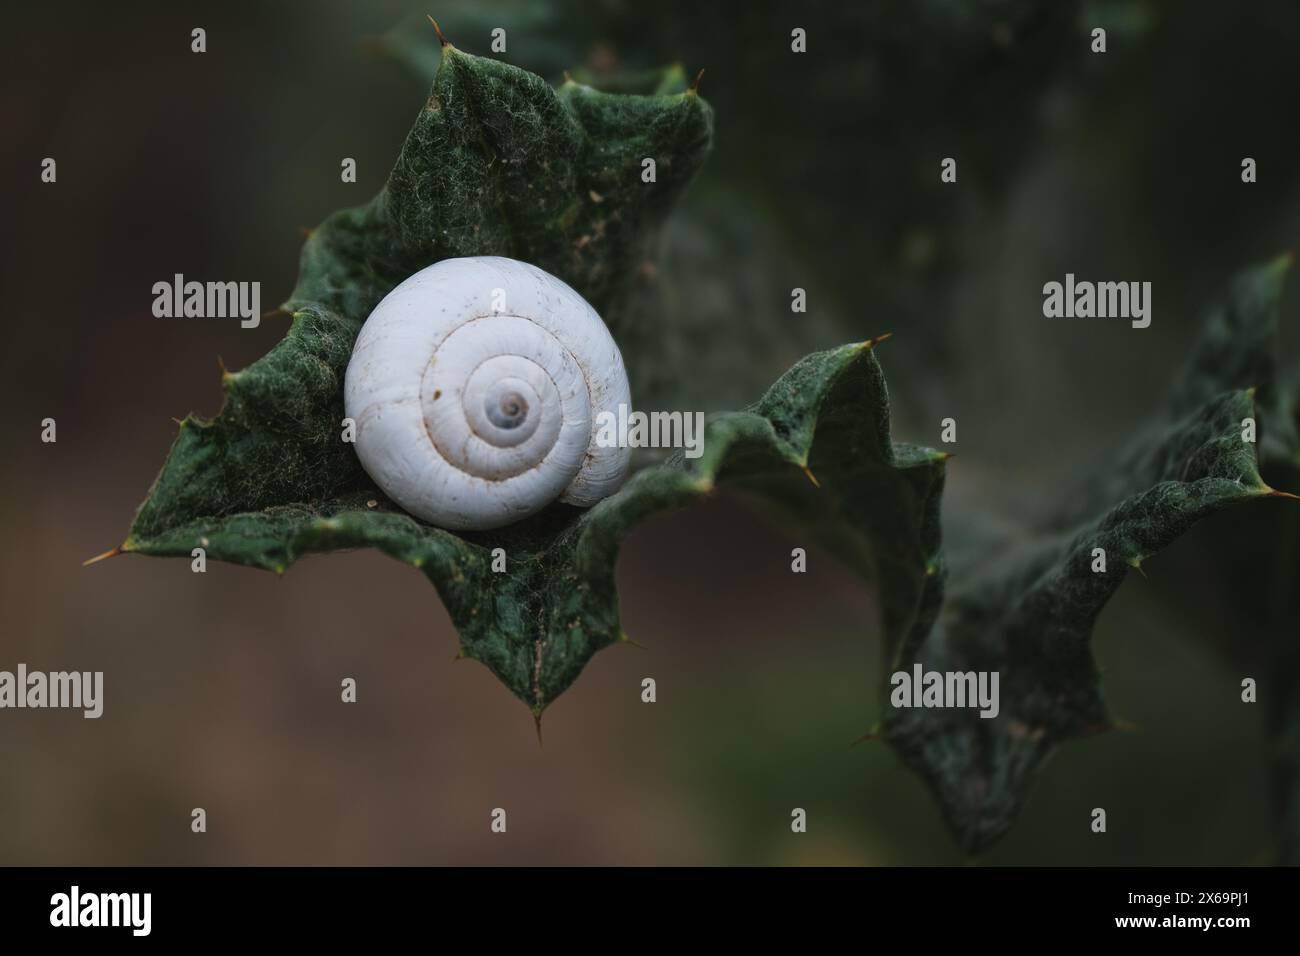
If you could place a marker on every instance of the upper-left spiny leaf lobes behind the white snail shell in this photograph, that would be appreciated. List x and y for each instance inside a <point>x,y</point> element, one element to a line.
<point>496,165</point>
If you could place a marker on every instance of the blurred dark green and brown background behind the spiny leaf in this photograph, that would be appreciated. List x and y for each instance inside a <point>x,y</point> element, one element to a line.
<point>222,691</point>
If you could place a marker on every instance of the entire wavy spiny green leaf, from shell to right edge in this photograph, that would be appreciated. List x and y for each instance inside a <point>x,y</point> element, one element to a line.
<point>499,163</point>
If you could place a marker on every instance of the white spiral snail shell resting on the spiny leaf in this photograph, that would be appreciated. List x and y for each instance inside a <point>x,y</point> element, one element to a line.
<point>475,387</point>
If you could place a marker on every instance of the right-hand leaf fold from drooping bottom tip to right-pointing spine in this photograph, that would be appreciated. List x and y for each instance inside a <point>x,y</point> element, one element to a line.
<point>1032,621</point>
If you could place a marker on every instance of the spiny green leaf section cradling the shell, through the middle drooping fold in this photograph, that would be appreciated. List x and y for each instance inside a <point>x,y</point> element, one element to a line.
<point>499,163</point>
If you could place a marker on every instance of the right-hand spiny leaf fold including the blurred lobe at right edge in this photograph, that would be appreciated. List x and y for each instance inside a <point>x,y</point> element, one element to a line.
<point>1030,612</point>
